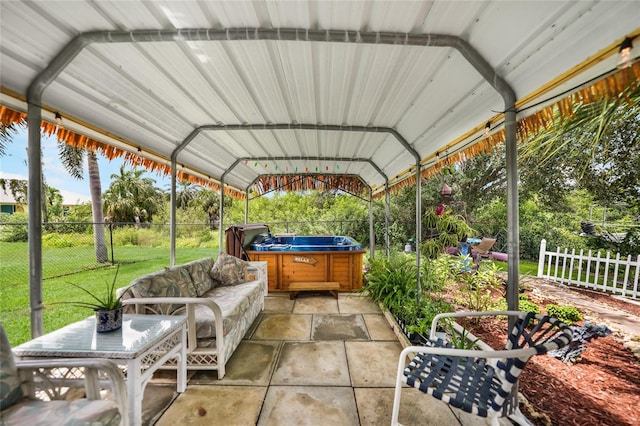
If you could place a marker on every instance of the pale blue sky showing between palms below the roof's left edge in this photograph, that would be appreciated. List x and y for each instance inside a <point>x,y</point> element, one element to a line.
<point>14,166</point>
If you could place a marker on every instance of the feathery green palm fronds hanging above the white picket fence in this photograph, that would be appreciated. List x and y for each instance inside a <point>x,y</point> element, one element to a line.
<point>596,149</point>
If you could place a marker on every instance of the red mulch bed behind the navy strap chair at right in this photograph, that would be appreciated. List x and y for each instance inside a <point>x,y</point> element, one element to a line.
<point>602,388</point>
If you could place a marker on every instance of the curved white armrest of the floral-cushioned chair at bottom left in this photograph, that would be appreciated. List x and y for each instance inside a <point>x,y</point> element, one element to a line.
<point>92,367</point>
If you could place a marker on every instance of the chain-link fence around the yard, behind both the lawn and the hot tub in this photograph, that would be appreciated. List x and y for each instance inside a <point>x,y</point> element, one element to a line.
<point>68,248</point>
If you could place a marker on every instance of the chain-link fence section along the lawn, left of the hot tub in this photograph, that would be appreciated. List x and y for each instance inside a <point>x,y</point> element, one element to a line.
<point>69,248</point>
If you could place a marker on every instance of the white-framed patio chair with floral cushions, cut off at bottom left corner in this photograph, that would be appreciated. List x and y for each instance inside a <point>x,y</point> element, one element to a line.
<point>39,391</point>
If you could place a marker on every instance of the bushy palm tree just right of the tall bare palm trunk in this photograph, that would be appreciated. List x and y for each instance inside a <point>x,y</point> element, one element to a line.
<point>132,198</point>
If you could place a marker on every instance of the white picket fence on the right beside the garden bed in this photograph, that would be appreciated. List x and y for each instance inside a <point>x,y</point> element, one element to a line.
<point>606,274</point>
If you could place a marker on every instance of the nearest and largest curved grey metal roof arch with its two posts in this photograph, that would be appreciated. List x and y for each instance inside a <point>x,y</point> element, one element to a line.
<point>78,43</point>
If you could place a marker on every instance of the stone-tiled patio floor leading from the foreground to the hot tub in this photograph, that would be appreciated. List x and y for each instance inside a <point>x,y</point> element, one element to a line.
<point>313,360</point>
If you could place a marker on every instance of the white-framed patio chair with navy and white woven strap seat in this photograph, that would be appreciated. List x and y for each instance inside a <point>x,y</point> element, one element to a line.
<point>480,382</point>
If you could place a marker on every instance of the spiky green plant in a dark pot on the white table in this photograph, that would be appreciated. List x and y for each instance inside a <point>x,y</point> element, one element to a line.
<point>107,306</point>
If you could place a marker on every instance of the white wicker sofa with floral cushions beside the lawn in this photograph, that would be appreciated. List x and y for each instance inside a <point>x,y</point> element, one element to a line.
<point>221,299</point>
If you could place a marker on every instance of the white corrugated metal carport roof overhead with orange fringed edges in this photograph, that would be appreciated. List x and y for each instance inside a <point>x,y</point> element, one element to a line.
<point>277,87</point>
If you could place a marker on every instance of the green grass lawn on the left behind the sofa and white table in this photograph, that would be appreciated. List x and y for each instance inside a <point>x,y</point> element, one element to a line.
<point>71,265</point>
